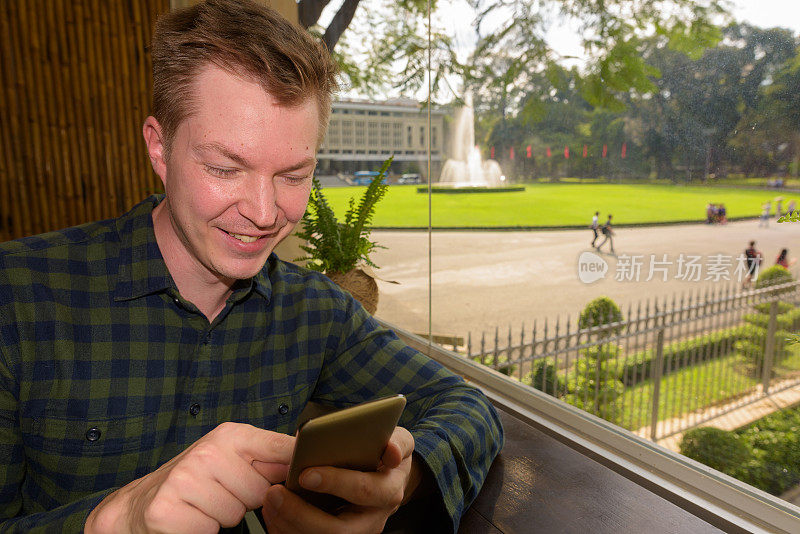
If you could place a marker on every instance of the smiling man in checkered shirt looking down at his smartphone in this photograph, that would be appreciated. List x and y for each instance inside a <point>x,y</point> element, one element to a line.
<point>152,367</point>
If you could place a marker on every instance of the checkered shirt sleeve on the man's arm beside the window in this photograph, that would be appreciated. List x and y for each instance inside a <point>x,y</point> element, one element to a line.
<point>457,432</point>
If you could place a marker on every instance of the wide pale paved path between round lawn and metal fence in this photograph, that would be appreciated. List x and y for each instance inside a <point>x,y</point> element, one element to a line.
<point>484,279</point>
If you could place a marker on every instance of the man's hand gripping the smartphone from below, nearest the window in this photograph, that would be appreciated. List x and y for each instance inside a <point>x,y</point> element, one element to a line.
<point>374,496</point>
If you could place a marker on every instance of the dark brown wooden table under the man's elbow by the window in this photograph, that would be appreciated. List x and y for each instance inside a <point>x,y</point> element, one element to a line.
<point>539,484</point>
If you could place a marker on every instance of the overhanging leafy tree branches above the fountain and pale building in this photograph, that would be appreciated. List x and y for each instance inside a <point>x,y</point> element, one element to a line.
<point>508,54</point>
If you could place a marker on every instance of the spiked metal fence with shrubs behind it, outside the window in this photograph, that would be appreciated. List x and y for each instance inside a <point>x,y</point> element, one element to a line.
<point>664,366</point>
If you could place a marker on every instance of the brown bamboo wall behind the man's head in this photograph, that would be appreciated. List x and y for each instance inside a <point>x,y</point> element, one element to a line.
<point>75,86</point>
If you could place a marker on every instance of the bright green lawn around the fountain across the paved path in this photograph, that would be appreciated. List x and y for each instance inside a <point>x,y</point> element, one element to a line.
<point>554,205</point>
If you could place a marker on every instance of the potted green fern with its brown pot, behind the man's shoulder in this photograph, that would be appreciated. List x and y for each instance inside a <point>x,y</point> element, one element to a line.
<point>341,249</point>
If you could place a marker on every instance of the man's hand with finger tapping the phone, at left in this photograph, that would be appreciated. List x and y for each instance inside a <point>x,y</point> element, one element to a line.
<point>211,484</point>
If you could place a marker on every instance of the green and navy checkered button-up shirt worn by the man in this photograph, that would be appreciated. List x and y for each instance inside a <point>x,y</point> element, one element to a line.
<point>106,372</point>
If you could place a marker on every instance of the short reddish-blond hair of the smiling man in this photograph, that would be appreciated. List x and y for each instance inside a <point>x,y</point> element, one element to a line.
<point>244,38</point>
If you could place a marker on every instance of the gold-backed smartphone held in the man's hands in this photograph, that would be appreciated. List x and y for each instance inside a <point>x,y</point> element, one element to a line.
<point>352,438</point>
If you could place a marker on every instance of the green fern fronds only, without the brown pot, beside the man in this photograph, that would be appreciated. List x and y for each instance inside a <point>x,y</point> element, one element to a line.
<point>335,246</point>
